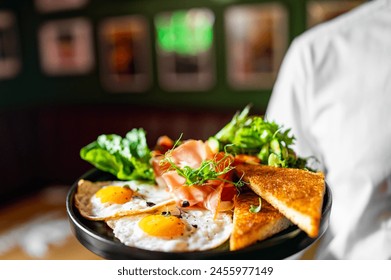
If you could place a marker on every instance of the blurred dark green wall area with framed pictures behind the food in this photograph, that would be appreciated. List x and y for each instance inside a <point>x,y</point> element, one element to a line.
<point>71,70</point>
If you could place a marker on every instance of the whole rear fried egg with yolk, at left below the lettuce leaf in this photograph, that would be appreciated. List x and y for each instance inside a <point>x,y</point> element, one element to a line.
<point>104,200</point>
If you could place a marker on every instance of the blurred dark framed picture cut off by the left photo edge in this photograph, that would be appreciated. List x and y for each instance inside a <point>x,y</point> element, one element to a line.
<point>10,62</point>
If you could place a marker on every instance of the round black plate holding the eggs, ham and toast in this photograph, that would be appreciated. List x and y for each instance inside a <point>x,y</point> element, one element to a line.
<point>99,238</point>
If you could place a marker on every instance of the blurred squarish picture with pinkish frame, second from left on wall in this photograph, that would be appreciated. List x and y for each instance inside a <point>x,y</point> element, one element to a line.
<point>66,47</point>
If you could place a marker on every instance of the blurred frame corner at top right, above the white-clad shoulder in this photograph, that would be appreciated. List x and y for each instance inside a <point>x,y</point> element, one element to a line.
<point>321,11</point>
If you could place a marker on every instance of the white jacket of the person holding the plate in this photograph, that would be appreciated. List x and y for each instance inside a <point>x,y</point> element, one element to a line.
<point>334,91</point>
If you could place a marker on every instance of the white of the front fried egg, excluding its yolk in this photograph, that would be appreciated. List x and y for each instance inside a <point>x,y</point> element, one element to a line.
<point>202,232</point>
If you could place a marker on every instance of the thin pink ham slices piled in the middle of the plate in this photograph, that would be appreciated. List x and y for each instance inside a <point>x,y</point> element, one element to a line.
<point>215,195</point>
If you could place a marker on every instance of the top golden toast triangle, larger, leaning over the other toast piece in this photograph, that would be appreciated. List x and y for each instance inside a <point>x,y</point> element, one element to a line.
<point>296,193</point>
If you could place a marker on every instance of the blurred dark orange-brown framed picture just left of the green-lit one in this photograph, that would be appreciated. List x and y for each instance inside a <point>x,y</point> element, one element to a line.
<point>125,54</point>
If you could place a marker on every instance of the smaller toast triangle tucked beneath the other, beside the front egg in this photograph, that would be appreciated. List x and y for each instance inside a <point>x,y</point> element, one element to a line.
<point>248,227</point>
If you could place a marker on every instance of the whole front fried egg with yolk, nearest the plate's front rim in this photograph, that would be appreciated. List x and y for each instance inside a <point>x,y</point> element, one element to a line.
<point>190,230</point>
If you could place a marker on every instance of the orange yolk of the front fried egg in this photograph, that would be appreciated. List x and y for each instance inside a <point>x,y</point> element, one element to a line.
<point>162,226</point>
